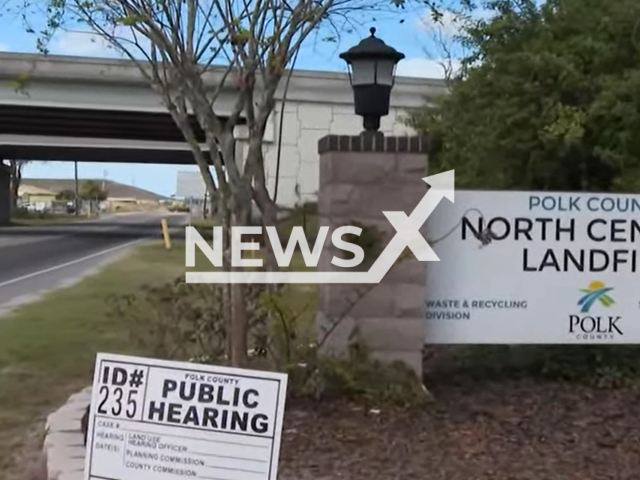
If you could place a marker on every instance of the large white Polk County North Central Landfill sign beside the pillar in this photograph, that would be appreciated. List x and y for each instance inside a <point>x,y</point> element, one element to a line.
<point>532,267</point>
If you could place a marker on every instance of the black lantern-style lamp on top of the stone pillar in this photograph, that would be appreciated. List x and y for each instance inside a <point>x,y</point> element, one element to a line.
<point>372,65</point>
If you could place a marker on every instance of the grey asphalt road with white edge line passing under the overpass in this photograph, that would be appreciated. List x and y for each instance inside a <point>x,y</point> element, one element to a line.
<point>35,259</point>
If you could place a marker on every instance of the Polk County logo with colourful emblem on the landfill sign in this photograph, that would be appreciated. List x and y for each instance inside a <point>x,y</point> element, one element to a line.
<point>594,327</point>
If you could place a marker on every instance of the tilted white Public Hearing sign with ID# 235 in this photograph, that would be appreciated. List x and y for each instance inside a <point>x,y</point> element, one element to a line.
<point>160,420</point>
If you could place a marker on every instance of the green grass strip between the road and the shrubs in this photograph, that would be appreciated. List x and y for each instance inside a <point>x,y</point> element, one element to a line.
<point>47,348</point>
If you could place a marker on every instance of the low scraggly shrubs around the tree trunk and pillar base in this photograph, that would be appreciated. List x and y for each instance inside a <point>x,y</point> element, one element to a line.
<point>185,322</point>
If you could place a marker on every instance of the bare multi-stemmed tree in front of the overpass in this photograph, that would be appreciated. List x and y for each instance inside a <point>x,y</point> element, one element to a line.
<point>190,51</point>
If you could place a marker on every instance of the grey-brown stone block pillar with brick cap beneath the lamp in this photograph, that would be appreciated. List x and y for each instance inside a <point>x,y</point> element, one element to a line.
<point>360,177</point>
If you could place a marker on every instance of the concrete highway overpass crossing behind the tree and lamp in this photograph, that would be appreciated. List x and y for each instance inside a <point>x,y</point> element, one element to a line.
<point>100,110</point>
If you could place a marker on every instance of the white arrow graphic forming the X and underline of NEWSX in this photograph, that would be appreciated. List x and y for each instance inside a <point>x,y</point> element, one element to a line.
<point>407,235</point>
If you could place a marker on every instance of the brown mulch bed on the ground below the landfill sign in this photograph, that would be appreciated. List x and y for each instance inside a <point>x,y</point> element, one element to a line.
<point>507,430</point>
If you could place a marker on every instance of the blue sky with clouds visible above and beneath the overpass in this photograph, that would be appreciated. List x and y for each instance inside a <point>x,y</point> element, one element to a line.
<point>412,32</point>
